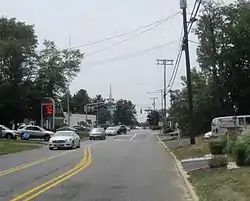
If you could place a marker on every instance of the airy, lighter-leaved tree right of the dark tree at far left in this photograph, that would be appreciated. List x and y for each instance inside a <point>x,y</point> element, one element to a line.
<point>57,68</point>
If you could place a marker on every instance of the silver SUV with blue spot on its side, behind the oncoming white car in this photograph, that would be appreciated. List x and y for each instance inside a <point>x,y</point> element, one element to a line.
<point>36,132</point>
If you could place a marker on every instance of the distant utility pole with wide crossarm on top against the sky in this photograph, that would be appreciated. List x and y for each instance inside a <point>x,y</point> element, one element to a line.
<point>165,63</point>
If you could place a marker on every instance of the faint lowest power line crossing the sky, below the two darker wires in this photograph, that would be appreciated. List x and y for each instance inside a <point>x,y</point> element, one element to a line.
<point>127,56</point>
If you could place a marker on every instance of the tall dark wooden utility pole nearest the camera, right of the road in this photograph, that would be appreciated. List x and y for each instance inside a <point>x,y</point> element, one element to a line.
<point>183,6</point>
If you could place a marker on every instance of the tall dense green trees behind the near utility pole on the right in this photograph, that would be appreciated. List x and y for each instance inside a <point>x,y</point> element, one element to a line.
<point>222,80</point>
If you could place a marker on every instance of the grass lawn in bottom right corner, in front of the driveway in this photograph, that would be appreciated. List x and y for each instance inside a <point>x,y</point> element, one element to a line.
<point>222,184</point>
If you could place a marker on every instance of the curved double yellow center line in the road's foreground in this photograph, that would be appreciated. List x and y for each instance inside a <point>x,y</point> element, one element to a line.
<point>34,192</point>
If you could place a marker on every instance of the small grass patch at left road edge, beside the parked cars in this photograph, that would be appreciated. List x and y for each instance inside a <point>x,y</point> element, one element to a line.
<point>11,146</point>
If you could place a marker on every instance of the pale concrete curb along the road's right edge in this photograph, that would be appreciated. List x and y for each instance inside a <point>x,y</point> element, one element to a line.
<point>182,172</point>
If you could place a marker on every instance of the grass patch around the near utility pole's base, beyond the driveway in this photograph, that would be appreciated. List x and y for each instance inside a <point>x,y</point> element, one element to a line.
<point>189,151</point>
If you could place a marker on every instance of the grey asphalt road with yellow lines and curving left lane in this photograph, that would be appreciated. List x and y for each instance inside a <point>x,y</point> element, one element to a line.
<point>132,167</point>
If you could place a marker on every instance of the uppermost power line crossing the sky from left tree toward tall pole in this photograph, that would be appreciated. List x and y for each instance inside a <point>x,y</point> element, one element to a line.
<point>119,35</point>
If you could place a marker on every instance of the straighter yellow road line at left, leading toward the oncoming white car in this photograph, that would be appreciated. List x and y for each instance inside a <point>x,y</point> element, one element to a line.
<point>29,164</point>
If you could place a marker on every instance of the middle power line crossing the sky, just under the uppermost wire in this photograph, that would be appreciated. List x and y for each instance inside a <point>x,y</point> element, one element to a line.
<point>132,37</point>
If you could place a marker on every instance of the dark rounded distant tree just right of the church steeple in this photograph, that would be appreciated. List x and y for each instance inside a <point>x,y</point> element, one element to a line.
<point>125,112</point>
